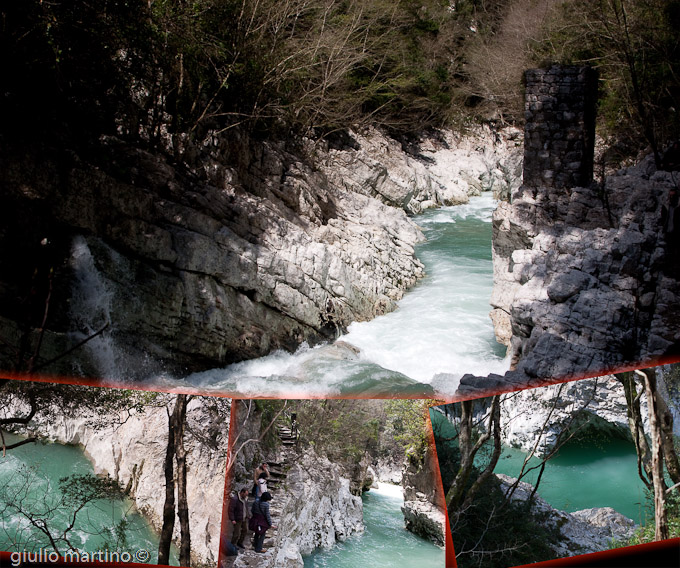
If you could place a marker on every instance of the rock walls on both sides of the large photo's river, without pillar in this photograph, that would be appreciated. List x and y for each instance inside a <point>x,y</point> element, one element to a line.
<point>249,246</point>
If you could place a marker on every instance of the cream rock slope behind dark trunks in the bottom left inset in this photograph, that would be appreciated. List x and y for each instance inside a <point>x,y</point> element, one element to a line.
<point>132,451</point>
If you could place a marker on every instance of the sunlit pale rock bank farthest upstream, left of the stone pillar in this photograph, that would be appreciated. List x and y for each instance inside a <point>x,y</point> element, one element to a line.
<point>442,170</point>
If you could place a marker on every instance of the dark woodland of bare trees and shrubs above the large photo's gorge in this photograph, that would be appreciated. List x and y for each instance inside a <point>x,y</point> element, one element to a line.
<point>146,69</point>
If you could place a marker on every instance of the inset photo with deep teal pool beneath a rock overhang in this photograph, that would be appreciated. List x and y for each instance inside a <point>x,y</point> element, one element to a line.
<point>562,470</point>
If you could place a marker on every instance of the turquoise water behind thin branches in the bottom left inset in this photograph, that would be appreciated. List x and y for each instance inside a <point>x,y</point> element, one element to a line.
<point>29,478</point>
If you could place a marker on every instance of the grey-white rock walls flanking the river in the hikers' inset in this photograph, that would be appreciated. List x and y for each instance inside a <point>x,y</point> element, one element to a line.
<point>317,501</point>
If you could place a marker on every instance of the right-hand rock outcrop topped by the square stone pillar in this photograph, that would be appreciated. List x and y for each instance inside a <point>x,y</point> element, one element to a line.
<point>585,271</point>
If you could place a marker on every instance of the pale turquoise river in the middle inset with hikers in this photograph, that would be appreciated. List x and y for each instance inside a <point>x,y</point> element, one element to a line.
<point>384,543</point>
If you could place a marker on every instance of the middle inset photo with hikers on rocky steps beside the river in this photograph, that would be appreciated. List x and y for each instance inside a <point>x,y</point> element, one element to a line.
<point>341,483</point>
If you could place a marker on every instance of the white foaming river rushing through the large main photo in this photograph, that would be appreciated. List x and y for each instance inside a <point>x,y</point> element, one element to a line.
<point>440,331</point>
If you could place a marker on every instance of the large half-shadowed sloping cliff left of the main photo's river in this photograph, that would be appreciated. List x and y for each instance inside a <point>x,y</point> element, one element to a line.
<point>204,263</point>
